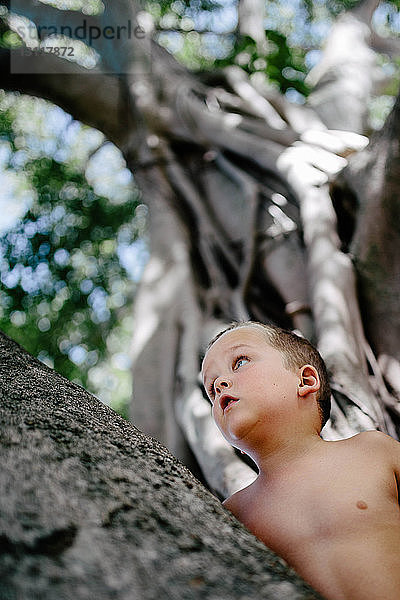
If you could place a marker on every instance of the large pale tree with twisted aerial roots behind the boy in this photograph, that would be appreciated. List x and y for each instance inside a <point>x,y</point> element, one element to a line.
<point>258,208</point>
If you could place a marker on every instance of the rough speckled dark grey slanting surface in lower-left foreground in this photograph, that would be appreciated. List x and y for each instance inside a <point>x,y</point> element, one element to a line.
<point>91,508</point>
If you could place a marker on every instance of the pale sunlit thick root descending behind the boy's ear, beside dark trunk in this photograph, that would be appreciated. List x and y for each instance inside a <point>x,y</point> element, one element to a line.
<point>333,294</point>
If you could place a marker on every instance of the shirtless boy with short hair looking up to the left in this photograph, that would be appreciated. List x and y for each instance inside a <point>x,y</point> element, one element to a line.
<point>330,509</point>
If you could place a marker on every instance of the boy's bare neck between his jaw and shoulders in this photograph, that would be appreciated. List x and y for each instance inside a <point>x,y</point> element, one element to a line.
<point>283,460</point>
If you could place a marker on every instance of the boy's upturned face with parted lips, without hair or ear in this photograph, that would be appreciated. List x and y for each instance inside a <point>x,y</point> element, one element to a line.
<point>249,387</point>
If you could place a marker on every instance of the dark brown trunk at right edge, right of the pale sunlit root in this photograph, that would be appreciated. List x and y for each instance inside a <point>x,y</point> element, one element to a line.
<point>374,182</point>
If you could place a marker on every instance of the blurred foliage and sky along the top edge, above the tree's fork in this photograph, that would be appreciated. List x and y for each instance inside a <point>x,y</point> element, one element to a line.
<point>203,35</point>
